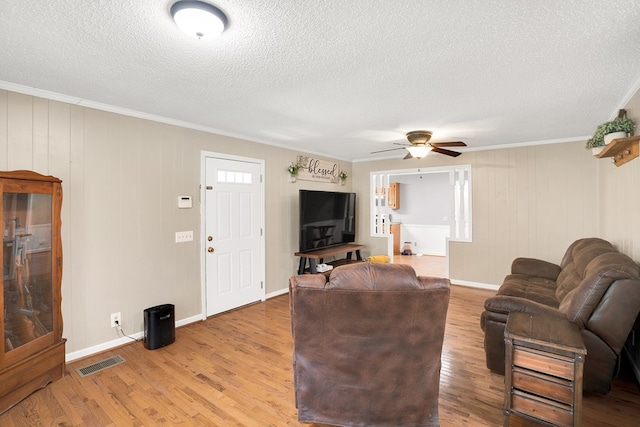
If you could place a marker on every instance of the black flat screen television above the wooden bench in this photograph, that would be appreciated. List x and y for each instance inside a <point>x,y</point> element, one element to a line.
<point>327,218</point>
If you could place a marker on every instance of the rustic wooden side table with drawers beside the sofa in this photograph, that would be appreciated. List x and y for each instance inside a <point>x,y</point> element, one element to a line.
<point>543,369</point>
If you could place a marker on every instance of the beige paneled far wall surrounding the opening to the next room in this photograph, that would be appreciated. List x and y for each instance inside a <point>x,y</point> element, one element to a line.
<point>529,201</point>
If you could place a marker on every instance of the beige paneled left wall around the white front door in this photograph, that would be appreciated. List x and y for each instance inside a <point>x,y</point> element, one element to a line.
<point>121,177</point>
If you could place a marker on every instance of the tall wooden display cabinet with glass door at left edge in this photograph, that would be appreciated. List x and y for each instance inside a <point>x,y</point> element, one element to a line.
<point>33,350</point>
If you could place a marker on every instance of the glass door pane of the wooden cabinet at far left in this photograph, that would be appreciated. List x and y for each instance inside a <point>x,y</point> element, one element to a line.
<point>26,267</point>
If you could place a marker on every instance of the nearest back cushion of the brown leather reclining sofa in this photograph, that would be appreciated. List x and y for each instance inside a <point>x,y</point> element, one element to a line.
<point>579,303</point>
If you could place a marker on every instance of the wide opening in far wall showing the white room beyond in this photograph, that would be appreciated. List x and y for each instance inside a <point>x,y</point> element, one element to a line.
<point>421,210</point>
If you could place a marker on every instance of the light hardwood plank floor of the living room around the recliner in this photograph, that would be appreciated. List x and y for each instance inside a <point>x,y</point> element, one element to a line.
<point>235,369</point>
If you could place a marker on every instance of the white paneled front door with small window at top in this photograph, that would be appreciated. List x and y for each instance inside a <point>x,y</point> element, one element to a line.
<point>233,241</point>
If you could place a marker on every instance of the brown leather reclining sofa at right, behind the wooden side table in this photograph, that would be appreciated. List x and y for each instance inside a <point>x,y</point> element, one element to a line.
<point>595,287</point>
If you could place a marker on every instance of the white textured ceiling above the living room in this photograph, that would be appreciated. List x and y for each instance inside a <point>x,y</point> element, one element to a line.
<point>340,78</point>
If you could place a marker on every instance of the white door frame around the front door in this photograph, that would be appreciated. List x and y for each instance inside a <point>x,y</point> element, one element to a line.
<point>203,243</point>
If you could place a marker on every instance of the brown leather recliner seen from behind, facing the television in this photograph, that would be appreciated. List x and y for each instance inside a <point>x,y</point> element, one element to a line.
<point>367,345</point>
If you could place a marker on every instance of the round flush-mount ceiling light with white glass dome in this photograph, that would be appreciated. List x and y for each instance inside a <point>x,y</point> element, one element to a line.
<point>199,19</point>
